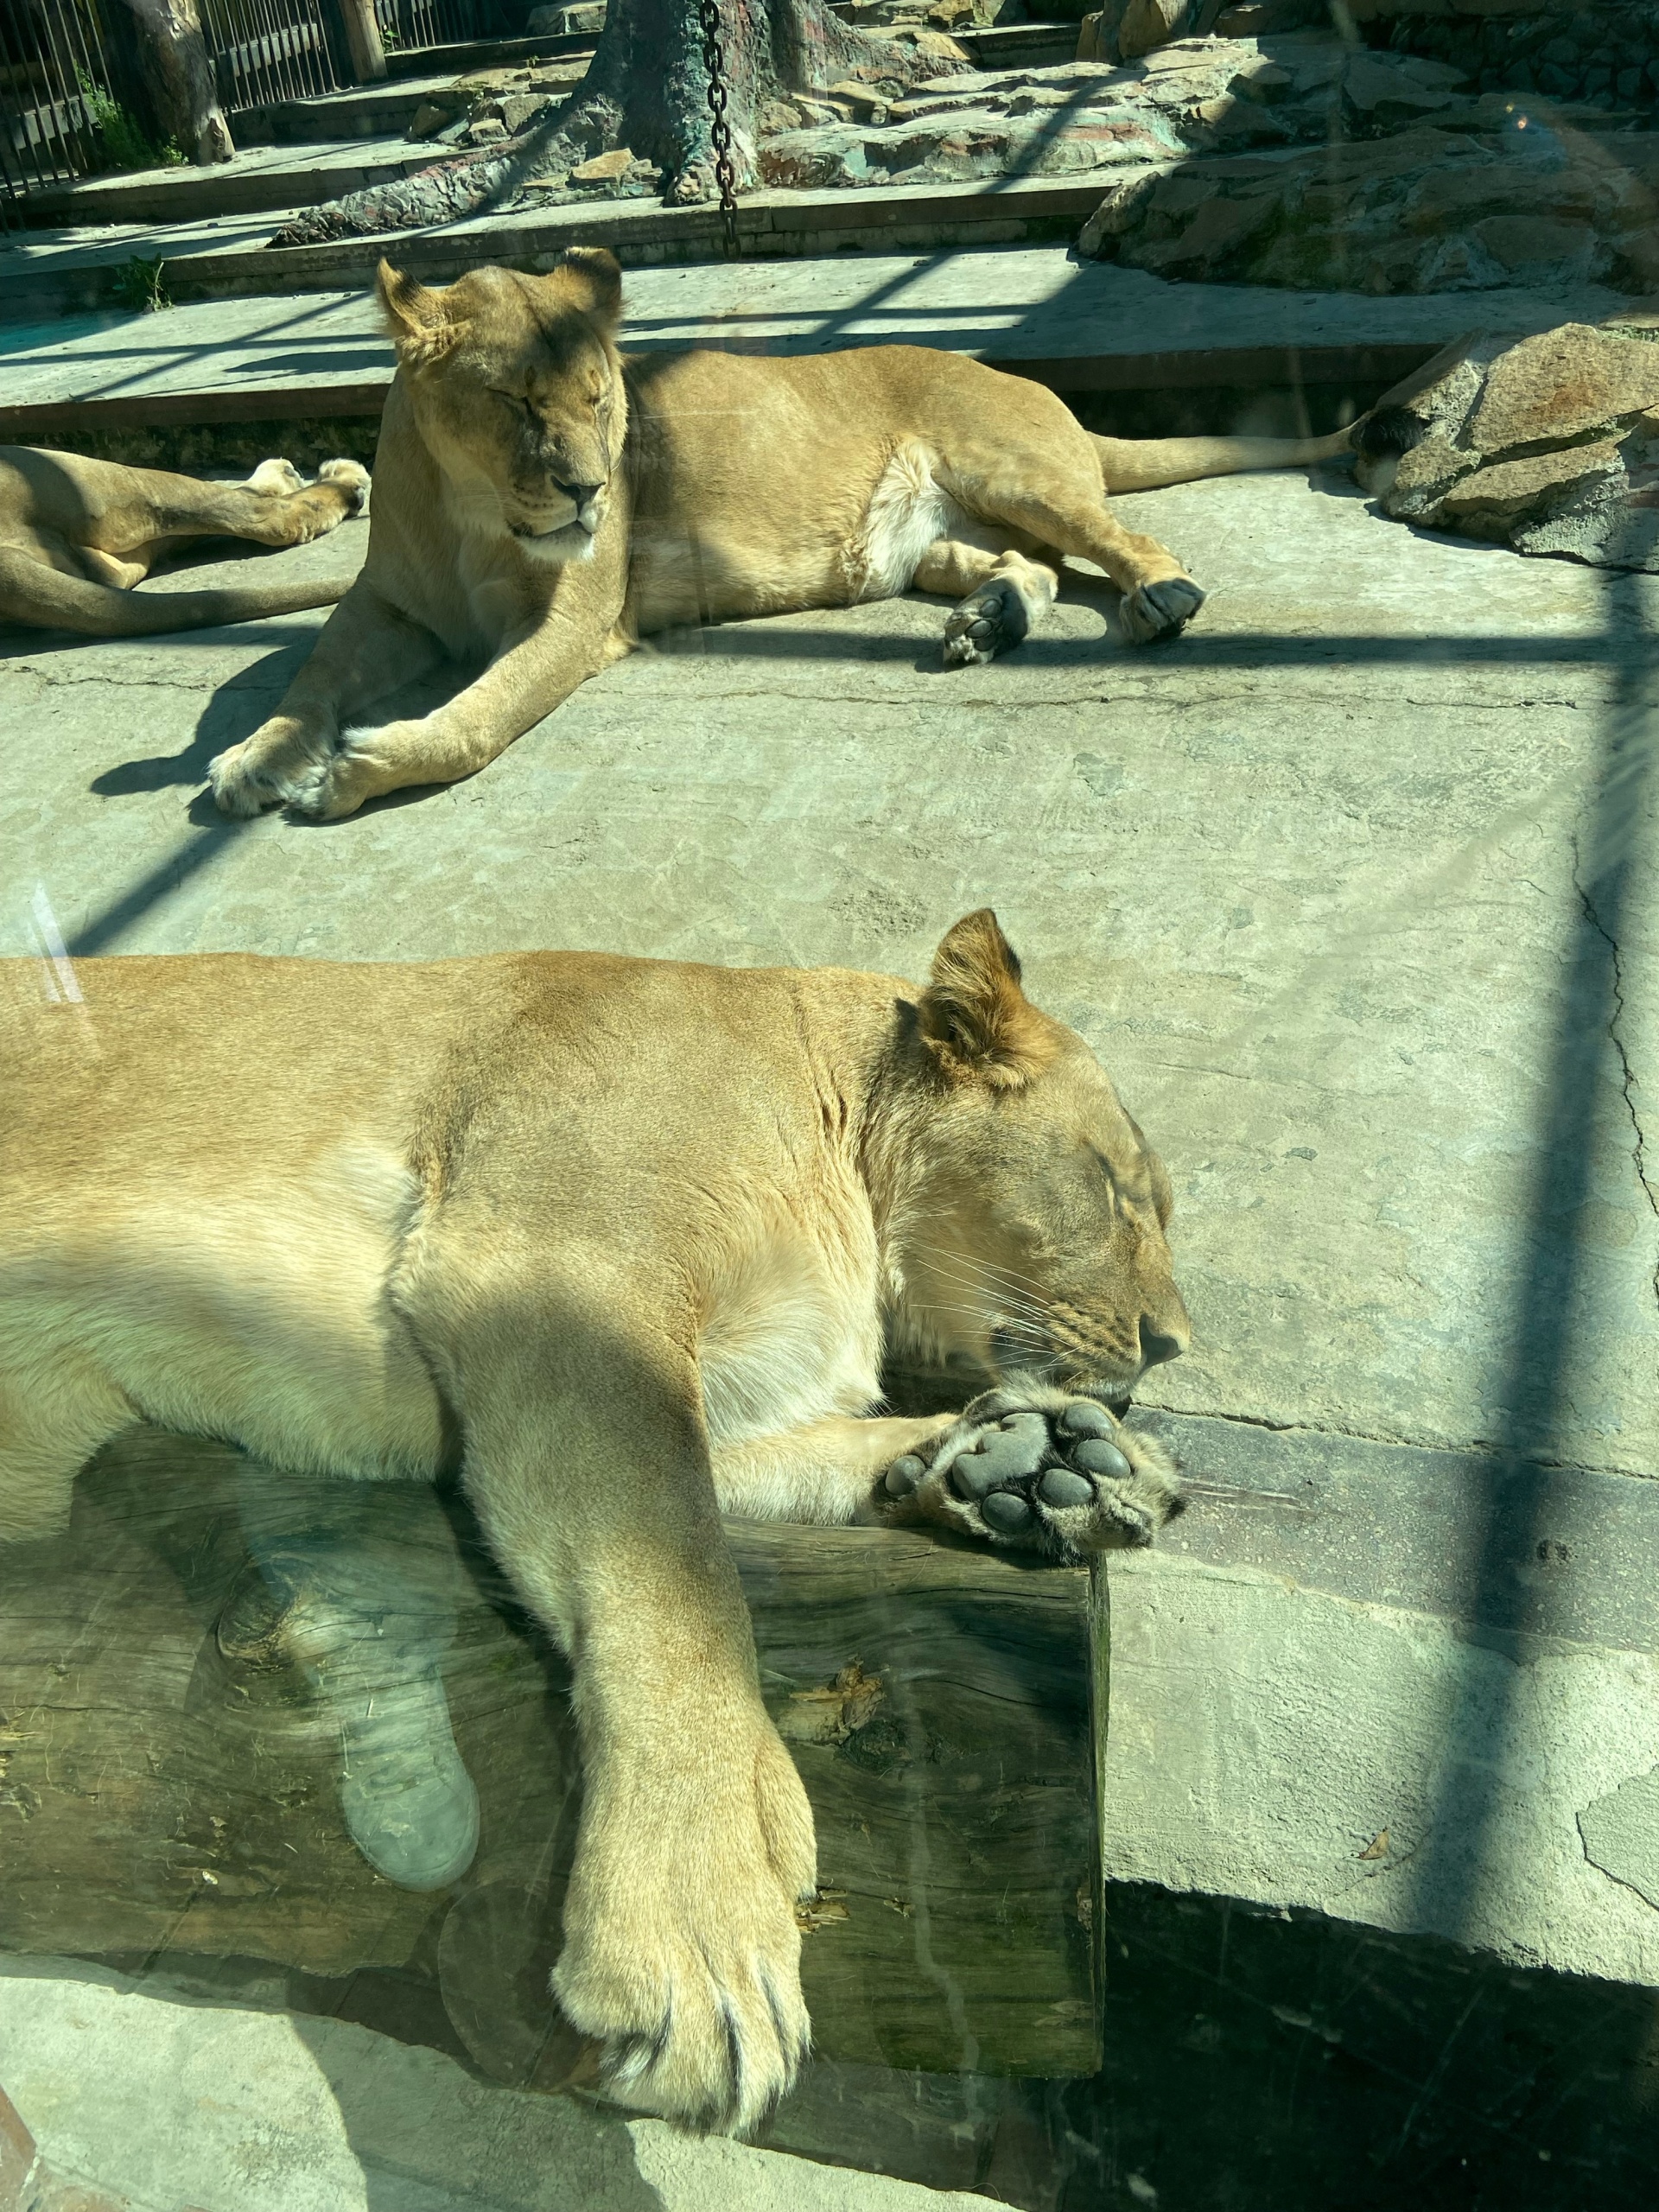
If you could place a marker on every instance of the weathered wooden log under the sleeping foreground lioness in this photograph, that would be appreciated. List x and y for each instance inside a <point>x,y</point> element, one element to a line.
<point>171,1773</point>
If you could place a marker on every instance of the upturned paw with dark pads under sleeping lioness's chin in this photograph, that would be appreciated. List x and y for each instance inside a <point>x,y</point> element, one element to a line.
<point>1034,1470</point>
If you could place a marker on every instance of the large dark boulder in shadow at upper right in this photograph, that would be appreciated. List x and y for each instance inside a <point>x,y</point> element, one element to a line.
<point>1463,202</point>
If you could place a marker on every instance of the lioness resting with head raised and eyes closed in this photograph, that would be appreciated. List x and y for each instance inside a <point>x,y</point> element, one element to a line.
<point>543,503</point>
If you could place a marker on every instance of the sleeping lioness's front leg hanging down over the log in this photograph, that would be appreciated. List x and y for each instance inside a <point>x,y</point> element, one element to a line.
<point>682,1952</point>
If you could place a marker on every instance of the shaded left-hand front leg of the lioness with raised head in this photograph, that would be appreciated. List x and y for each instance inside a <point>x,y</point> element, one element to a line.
<point>368,649</point>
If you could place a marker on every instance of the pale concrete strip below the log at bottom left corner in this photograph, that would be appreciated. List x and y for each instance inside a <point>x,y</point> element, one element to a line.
<point>251,2111</point>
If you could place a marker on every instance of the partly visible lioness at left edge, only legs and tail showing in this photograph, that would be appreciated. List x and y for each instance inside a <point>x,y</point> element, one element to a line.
<point>79,534</point>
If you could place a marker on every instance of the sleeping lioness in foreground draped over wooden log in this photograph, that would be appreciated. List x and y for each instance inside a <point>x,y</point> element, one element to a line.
<point>623,1240</point>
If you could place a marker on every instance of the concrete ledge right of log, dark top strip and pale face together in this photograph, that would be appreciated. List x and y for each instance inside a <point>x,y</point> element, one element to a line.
<point>1408,1689</point>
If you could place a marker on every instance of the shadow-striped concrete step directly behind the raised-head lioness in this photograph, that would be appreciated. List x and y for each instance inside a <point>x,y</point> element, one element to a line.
<point>165,388</point>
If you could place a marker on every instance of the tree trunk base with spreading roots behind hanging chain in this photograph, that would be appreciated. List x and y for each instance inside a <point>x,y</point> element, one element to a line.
<point>647,92</point>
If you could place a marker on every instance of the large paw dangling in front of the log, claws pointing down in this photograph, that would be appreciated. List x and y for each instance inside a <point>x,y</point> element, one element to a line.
<point>682,1950</point>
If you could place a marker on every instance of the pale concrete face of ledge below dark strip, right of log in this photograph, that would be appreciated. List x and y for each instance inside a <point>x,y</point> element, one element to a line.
<point>1381,1766</point>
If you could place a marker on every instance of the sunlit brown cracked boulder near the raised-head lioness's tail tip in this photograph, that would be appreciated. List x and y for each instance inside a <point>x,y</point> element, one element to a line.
<point>1545,444</point>
